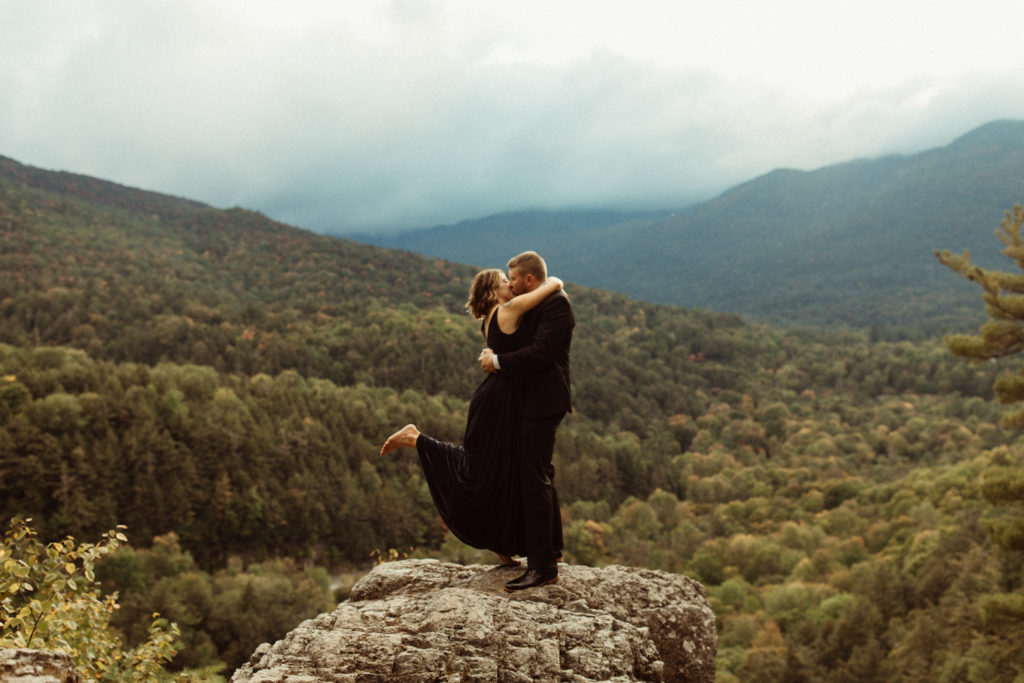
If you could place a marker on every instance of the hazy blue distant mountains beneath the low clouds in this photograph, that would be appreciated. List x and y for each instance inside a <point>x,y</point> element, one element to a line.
<point>850,245</point>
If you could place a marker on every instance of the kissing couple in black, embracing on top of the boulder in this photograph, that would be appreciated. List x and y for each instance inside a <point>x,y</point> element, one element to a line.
<point>497,491</point>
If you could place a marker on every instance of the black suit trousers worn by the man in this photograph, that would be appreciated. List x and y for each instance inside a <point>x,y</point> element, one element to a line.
<point>542,515</point>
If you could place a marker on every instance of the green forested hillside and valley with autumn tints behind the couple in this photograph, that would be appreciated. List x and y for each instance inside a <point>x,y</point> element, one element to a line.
<point>222,383</point>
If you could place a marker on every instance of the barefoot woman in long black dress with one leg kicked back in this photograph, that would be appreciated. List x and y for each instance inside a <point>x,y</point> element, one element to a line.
<point>476,486</point>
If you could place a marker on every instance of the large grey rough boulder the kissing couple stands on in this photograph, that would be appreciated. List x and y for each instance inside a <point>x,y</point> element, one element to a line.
<point>431,621</point>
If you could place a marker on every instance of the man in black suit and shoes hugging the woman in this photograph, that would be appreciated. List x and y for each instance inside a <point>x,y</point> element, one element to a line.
<point>544,366</point>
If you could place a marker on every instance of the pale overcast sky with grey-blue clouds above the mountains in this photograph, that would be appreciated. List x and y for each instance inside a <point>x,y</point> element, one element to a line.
<point>360,115</point>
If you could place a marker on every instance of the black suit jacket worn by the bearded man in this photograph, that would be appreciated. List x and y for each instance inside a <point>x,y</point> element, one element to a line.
<point>543,364</point>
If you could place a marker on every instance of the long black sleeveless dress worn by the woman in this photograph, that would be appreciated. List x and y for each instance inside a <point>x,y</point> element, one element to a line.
<point>477,486</point>
